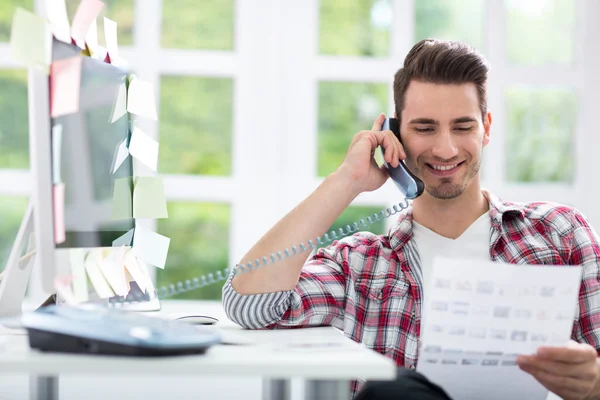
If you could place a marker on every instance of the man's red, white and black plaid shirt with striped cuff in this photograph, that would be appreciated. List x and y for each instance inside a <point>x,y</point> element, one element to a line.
<point>370,286</point>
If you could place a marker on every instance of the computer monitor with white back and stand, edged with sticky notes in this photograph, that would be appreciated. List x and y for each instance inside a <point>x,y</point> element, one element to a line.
<point>77,150</point>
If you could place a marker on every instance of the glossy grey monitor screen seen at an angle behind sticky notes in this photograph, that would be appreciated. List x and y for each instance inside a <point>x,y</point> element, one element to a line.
<point>86,144</point>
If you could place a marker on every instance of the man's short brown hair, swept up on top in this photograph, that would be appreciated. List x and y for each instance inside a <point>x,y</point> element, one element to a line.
<point>442,62</point>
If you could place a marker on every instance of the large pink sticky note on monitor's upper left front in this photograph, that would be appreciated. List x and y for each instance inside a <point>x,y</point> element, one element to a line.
<point>65,80</point>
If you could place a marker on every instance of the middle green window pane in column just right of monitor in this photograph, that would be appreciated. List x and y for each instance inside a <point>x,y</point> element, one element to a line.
<point>195,125</point>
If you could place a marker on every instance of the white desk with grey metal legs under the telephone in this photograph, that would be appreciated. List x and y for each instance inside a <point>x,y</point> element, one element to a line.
<point>324,357</point>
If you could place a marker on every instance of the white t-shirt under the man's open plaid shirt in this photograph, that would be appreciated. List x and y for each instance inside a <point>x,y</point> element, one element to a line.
<point>474,243</point>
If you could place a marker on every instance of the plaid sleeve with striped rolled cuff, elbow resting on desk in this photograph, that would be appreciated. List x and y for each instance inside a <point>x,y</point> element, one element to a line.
<point>318,298</point>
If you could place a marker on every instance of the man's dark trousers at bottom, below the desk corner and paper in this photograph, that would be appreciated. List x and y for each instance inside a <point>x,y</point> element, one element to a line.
<point>409,385</point>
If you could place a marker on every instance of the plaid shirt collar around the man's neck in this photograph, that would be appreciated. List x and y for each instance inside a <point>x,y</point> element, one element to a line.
<point>401,231</point>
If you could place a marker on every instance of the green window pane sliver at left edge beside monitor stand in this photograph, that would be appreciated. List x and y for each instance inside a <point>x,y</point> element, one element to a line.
<point>12,210</point>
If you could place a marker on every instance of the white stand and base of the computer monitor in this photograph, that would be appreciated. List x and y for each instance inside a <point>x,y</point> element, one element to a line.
<point>15,279</point>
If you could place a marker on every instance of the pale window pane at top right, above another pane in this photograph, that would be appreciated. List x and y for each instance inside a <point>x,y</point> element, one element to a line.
<point>540,32</point>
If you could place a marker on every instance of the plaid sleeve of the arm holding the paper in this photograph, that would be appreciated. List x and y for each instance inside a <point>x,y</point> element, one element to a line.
<point>585,251</point>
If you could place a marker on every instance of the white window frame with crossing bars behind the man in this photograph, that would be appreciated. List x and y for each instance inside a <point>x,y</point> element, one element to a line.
<point>276,67</point>
